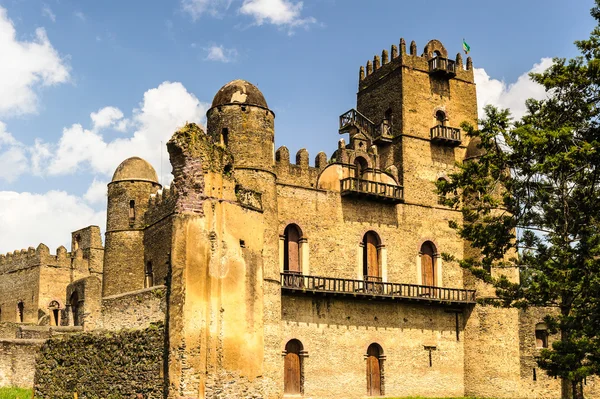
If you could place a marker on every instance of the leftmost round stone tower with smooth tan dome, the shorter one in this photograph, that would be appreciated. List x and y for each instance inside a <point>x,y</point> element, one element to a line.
<point>128,194</point>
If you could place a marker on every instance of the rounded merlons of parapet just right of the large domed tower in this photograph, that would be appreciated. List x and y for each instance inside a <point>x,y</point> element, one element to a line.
<point>300,173</point>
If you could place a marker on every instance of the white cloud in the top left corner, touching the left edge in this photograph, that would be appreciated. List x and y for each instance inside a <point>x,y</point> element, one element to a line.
<point>32,64</point>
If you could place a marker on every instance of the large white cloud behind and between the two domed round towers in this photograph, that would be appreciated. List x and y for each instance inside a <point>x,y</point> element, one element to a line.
<point>163,110</point>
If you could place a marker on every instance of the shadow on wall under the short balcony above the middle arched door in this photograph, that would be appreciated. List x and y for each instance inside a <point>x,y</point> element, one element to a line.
<point>370,212</point>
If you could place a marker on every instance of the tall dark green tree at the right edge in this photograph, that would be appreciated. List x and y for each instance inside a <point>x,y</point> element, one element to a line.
<point>540,177</point>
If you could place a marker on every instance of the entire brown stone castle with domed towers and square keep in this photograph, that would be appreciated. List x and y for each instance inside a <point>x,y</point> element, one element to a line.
<point>276,279</point>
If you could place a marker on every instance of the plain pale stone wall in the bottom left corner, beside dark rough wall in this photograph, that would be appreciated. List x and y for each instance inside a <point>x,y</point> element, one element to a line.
<point>17,361</point>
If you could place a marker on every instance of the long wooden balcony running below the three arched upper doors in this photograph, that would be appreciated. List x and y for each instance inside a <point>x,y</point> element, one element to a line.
<point>298,284</point>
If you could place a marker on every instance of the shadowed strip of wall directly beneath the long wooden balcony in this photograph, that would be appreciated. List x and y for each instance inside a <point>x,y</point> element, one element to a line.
<point>378,315</point>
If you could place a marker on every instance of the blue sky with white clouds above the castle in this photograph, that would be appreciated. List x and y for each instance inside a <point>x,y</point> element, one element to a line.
<point>87,84</point>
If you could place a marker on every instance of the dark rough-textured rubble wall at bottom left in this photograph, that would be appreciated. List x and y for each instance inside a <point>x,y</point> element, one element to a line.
<point>102,364</point>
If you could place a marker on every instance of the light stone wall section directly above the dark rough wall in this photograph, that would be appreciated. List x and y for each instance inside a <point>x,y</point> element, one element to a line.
<point>135,309</point>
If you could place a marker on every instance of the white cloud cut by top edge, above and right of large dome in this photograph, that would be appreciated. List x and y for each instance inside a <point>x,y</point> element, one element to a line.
<point>277,12</point>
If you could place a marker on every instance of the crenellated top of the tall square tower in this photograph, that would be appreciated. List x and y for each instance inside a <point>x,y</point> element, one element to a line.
<point>433,60</point>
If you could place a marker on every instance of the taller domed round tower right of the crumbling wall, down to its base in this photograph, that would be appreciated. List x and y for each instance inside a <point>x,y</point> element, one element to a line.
<point>241,120</point>
